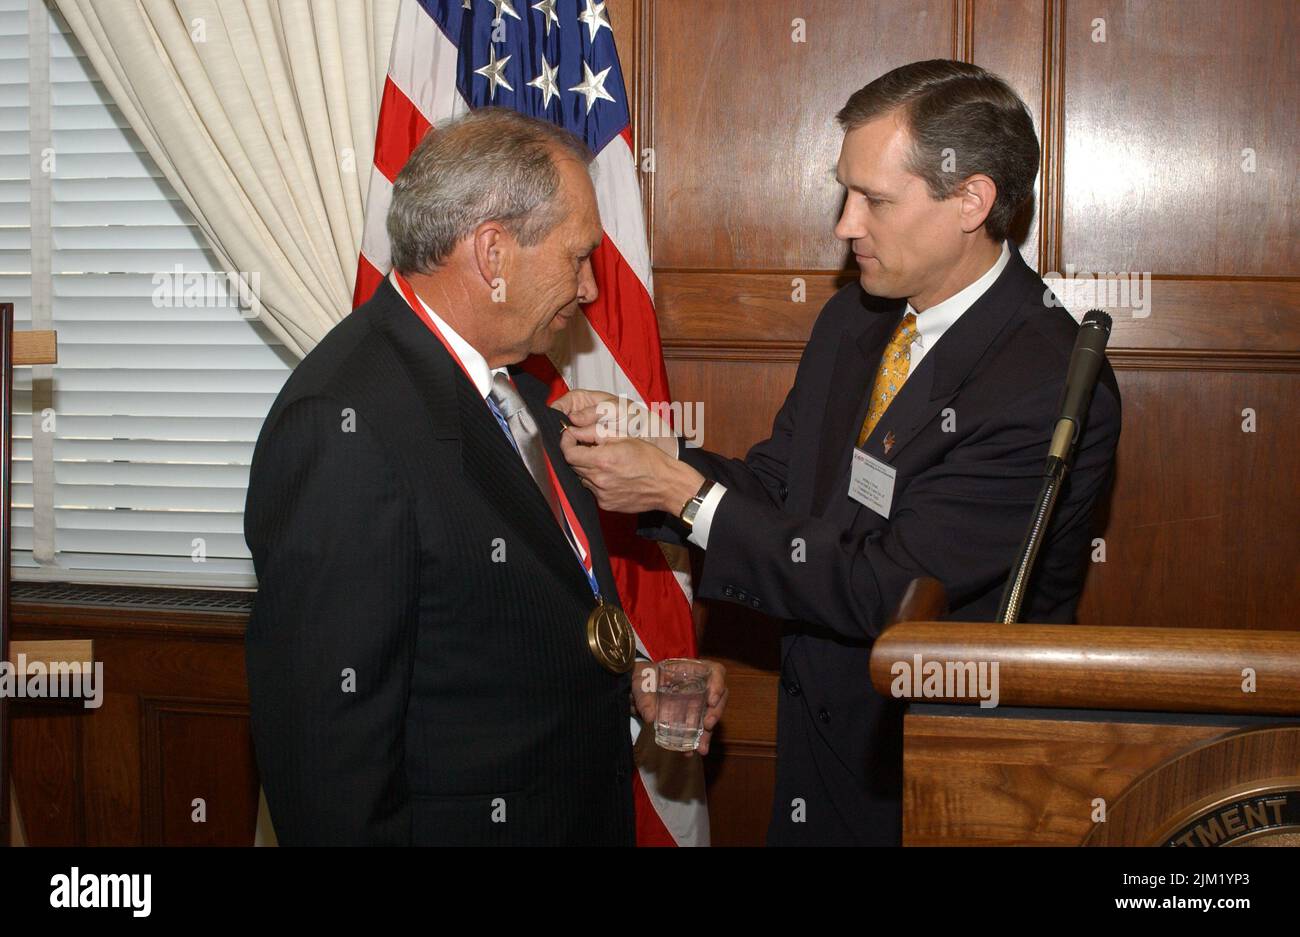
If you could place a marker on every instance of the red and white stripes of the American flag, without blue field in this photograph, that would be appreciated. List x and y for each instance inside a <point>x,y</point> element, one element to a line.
<point>613,348</point>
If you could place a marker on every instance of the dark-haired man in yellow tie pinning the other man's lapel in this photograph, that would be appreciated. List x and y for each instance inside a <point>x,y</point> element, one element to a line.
<point>912,445</point>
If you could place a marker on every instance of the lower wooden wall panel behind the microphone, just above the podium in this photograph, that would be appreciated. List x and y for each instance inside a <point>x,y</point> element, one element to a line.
<point>1202,530</point>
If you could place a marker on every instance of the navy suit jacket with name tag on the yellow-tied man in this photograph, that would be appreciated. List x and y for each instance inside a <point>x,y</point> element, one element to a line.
<point>970,428</point>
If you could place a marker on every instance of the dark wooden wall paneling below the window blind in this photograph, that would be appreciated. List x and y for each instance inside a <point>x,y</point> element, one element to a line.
<point>174,726</point>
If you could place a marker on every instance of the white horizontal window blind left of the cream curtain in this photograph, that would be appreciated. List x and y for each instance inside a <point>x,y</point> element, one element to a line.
<point>163,381</point>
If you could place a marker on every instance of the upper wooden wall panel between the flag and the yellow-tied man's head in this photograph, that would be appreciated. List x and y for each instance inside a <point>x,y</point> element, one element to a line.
<point>744,122</point>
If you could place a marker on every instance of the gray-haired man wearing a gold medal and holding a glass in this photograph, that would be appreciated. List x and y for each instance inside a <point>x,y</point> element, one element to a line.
<point>437,654</point>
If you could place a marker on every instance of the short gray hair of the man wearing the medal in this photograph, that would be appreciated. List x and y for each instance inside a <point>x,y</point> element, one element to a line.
<point>492,164</point>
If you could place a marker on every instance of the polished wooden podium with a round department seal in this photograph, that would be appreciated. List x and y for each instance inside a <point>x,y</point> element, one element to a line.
<point>1099,736</point>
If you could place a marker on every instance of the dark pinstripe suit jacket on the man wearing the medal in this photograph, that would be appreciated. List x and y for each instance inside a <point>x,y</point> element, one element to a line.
<point>418,661</point>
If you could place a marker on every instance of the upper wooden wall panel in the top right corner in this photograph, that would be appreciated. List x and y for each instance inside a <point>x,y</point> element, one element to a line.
<point>1156,119</point>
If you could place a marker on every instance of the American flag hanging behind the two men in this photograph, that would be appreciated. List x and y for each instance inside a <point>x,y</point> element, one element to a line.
<point>557,60</point>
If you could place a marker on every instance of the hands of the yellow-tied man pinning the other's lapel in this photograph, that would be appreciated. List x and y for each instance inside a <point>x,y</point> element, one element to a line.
<point>627,475</point>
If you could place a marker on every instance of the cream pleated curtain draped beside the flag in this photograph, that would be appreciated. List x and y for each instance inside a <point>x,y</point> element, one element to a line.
<point>262,116</point>
